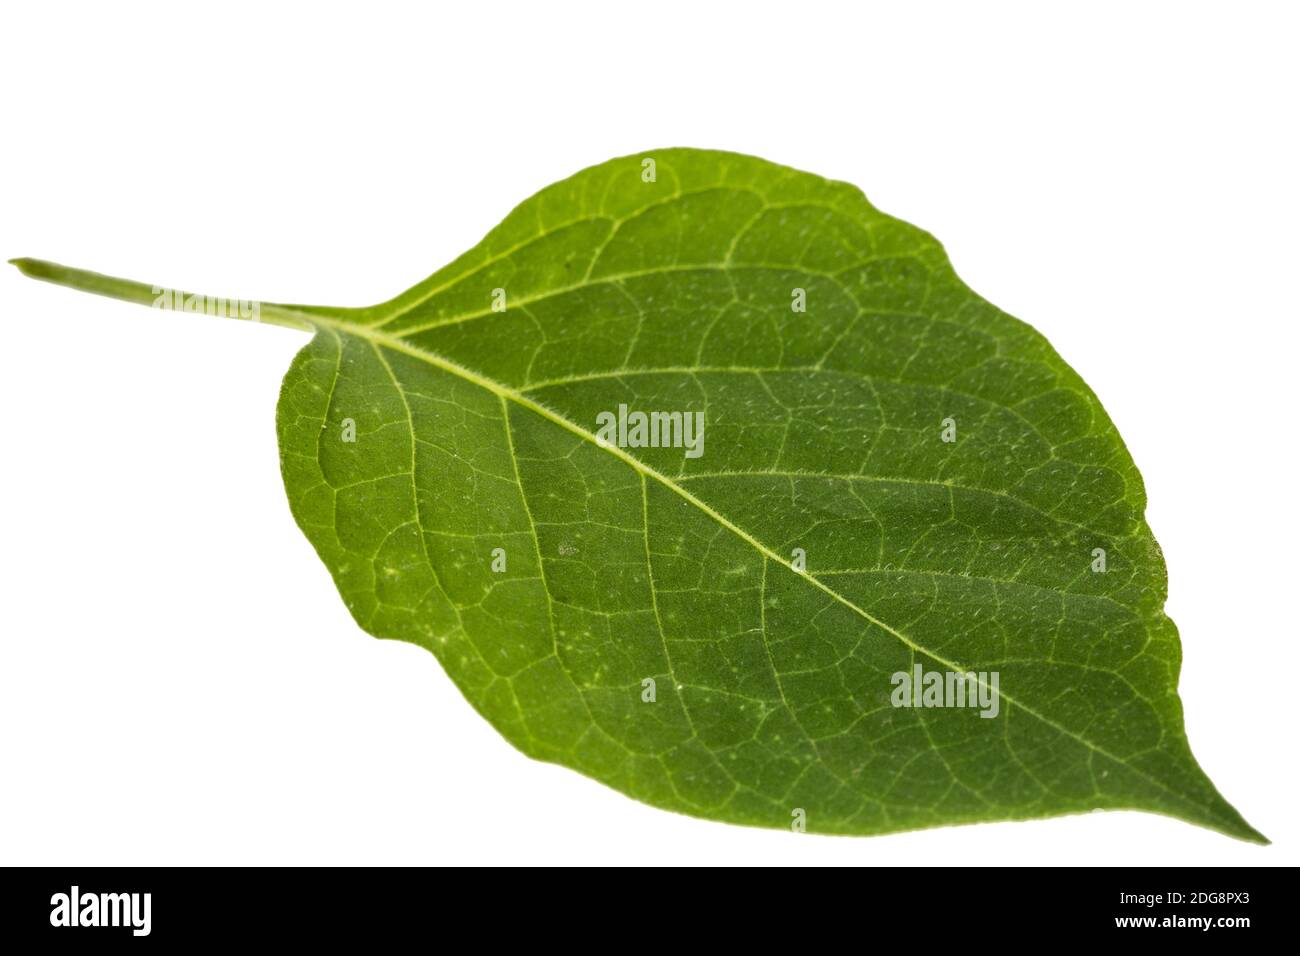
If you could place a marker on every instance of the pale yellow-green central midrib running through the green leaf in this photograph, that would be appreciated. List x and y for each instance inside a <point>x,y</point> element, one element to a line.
<point>506,393</point>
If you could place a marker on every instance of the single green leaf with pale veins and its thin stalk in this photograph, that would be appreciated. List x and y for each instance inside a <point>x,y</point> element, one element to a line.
<point>900,477</point>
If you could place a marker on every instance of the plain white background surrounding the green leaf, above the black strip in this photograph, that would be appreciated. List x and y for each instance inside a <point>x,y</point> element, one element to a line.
<point>180,682</point>
